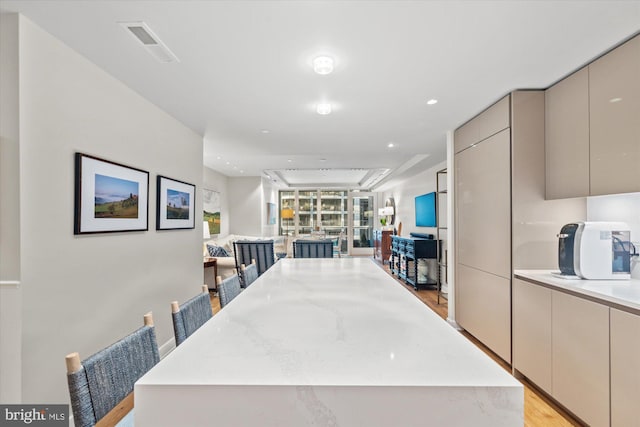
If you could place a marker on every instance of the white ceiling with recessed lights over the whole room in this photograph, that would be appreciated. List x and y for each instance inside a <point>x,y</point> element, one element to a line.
<point>244,77</point>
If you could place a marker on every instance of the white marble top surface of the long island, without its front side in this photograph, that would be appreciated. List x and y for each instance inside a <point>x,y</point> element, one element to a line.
<point>341,322</point>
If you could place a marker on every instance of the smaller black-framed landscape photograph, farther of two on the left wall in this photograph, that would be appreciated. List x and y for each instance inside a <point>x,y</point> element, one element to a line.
<point>176,204</point>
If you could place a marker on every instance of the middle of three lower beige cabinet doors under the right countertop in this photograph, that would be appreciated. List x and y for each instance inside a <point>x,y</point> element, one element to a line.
<point>580,357</point>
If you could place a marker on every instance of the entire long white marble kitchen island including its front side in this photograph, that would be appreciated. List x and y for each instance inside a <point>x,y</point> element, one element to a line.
<point>327,342</point>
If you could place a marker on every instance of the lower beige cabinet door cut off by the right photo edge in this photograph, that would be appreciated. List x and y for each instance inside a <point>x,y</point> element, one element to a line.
<point>625,368</point>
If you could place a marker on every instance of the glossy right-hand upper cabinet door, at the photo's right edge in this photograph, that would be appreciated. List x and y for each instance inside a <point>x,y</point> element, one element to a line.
<point>614,105</point>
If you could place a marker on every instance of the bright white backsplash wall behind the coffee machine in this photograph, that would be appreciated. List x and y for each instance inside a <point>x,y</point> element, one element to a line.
<point>619,207</point>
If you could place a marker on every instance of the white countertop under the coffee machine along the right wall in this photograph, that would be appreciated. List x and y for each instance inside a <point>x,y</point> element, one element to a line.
<point>623,294</point>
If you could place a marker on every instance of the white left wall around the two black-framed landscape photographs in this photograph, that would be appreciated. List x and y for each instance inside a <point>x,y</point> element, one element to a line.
<point>81,293</point>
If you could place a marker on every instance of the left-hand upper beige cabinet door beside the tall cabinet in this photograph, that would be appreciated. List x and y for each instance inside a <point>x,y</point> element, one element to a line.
<point>567,137</point>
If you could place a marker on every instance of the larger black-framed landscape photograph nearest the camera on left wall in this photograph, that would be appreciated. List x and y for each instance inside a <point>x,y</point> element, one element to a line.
<point>109,197</point>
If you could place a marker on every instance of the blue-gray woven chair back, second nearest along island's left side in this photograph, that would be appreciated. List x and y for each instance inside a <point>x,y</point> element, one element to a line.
<point>191,315</point>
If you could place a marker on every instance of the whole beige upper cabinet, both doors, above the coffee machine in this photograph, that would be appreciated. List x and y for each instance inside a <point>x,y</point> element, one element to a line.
<point>592,129</point>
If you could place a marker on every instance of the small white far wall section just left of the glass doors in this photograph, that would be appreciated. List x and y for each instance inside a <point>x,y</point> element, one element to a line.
<point>245,206</point>
